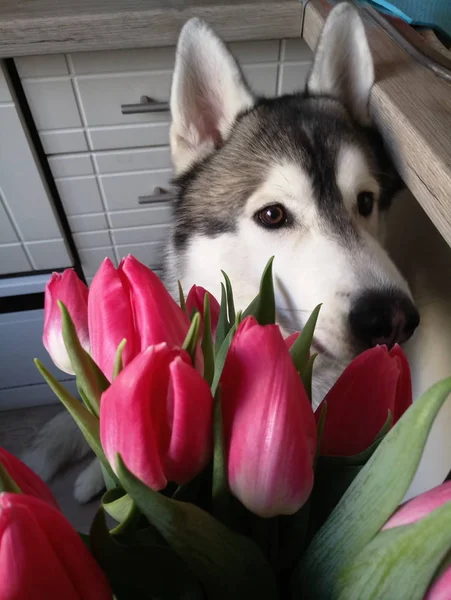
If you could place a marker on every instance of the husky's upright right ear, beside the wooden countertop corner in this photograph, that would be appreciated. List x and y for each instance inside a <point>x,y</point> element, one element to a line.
<point>343,66</point>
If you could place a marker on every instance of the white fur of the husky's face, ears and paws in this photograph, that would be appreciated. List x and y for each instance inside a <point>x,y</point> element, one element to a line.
<point>207,94</point>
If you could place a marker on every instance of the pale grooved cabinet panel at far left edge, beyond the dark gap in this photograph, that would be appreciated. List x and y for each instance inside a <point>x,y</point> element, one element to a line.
<point>30,235</point>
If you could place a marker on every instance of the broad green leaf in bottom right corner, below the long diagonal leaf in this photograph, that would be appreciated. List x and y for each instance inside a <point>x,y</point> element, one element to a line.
<point>400,562</point>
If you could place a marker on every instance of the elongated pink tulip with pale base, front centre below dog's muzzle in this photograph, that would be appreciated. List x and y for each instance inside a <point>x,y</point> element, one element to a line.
<point>269,426</point>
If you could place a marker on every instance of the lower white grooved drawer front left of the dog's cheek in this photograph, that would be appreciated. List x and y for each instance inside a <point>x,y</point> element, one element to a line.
<point>100,192</point>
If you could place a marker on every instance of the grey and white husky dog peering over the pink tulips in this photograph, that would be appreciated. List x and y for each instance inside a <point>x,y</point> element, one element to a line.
<point>303,177</point>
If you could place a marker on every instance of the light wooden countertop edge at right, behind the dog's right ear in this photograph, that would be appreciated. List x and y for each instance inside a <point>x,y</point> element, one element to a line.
<point>412,107</point>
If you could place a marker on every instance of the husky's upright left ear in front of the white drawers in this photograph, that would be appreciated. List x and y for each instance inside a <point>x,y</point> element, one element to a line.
<point>208,92</point>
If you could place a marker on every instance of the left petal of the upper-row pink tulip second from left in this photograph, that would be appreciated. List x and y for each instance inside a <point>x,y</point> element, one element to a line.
<point>110,318</point>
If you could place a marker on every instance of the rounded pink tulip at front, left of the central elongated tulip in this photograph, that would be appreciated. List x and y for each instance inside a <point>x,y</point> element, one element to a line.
<point>157,414</point>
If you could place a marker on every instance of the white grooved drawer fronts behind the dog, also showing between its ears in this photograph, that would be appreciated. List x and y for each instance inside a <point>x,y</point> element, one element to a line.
<point>103,160</point>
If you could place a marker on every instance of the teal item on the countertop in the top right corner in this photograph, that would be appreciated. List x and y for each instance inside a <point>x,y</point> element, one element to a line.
<point>430,13</point>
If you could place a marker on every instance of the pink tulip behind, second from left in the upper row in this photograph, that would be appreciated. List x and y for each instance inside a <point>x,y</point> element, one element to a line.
<point>132,303</point>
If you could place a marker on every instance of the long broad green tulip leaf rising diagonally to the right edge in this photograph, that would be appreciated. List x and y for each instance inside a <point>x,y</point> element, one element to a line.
<point>370,499</point>
